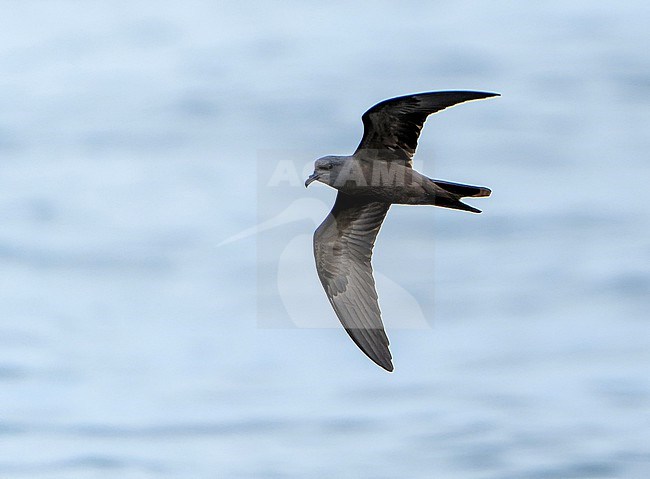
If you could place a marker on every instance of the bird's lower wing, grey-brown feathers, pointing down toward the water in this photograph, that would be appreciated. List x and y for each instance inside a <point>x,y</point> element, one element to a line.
<point>343,249</point>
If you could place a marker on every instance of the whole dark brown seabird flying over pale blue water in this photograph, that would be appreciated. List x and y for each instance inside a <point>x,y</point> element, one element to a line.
<point>378,174</point>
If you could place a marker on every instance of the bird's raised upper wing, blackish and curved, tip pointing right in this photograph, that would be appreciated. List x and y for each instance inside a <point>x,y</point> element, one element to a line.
<point>395,124</point>
